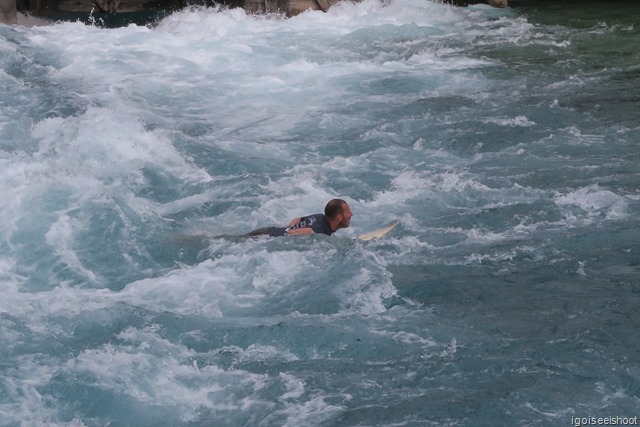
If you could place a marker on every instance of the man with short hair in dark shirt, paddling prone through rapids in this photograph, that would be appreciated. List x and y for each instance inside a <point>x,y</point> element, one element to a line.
<point>337,215</point>
